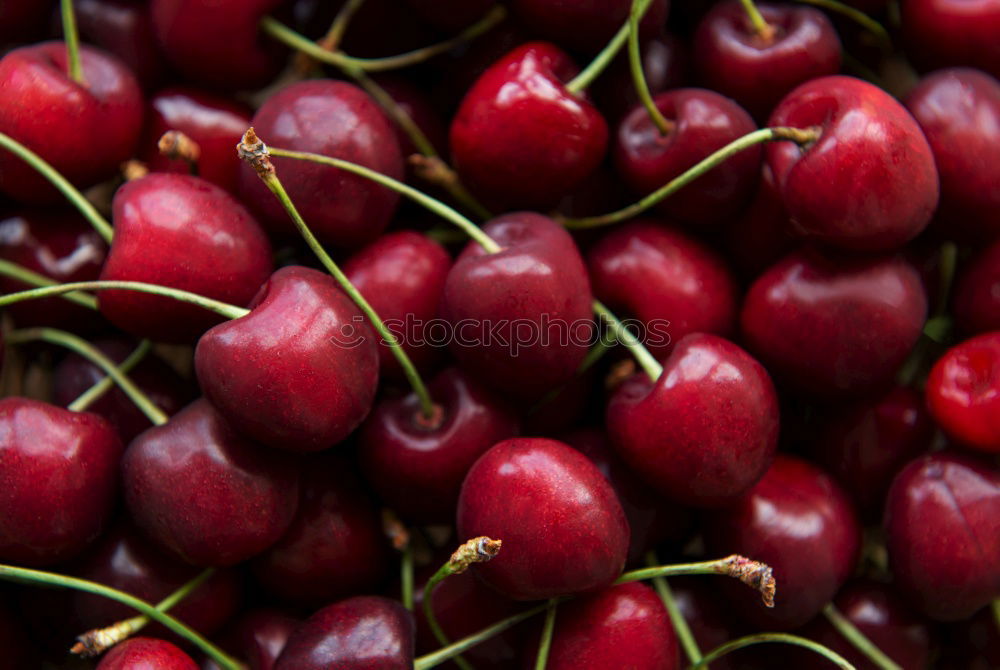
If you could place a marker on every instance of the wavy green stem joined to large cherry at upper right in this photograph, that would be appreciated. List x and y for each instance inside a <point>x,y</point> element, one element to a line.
<point>798,135</point>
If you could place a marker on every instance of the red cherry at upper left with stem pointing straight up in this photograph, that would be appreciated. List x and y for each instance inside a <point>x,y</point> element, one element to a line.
<point>83,131</point>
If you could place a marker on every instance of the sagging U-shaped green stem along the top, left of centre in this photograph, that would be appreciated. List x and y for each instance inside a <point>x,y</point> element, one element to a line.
<point>299,42</point>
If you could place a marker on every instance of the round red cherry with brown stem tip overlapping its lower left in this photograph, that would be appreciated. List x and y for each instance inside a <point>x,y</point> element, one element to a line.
<point>562,526</point>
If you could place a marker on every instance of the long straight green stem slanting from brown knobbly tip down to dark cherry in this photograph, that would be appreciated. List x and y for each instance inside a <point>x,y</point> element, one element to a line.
<point>255,152</point>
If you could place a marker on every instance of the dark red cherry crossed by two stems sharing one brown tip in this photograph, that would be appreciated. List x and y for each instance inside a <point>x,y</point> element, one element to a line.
<point>336,119</point>
